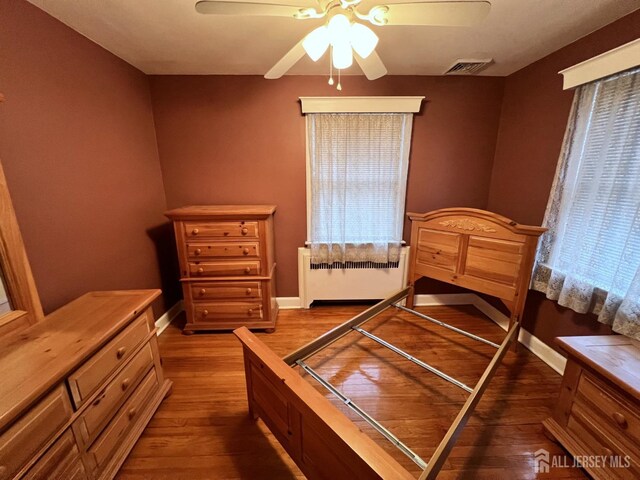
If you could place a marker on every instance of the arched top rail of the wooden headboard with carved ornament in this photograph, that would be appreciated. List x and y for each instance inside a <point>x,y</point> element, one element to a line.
<point>474,220</point>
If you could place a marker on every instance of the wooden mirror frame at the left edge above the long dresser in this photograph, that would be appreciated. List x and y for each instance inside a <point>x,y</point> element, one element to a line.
<point>16,272</point>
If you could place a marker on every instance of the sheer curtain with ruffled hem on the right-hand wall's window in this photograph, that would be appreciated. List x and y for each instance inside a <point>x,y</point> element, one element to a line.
<point>589,260</point>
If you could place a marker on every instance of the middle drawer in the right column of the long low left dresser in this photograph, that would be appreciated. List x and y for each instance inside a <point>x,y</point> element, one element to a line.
<point>112,396</point>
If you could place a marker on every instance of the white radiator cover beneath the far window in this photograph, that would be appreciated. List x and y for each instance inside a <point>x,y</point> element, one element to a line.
<point>351,283</point>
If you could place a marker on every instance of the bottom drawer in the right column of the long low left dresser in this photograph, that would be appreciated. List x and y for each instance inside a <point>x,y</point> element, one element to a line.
<point>116,431</point>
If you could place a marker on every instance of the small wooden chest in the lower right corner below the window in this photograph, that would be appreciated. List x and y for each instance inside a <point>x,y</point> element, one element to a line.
<point>598,411</point>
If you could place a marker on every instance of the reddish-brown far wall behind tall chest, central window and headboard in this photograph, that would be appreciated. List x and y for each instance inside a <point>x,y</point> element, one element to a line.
<point>241,139</point>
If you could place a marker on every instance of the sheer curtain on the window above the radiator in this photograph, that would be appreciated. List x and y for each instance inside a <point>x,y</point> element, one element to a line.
<point>358,177</point>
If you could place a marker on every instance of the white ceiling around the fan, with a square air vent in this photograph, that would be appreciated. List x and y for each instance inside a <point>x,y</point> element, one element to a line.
<point>169,37</point>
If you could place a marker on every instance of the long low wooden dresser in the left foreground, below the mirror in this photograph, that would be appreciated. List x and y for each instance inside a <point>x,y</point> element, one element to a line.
<point>79,387</point>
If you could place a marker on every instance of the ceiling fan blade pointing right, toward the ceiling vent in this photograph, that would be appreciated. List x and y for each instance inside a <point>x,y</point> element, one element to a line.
<point>447,14</point>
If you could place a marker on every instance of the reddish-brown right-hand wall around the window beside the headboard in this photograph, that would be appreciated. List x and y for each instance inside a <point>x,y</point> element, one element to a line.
<point>534,116</point>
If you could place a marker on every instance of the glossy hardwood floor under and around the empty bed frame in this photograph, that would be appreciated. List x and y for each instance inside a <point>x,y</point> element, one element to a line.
<point>202,431</point>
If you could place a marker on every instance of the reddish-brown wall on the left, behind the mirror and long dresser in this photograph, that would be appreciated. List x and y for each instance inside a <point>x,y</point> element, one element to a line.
<point>78,146</point>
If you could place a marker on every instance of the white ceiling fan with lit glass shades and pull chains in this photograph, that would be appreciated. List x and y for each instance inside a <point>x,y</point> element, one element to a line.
<point>344,34</point>
